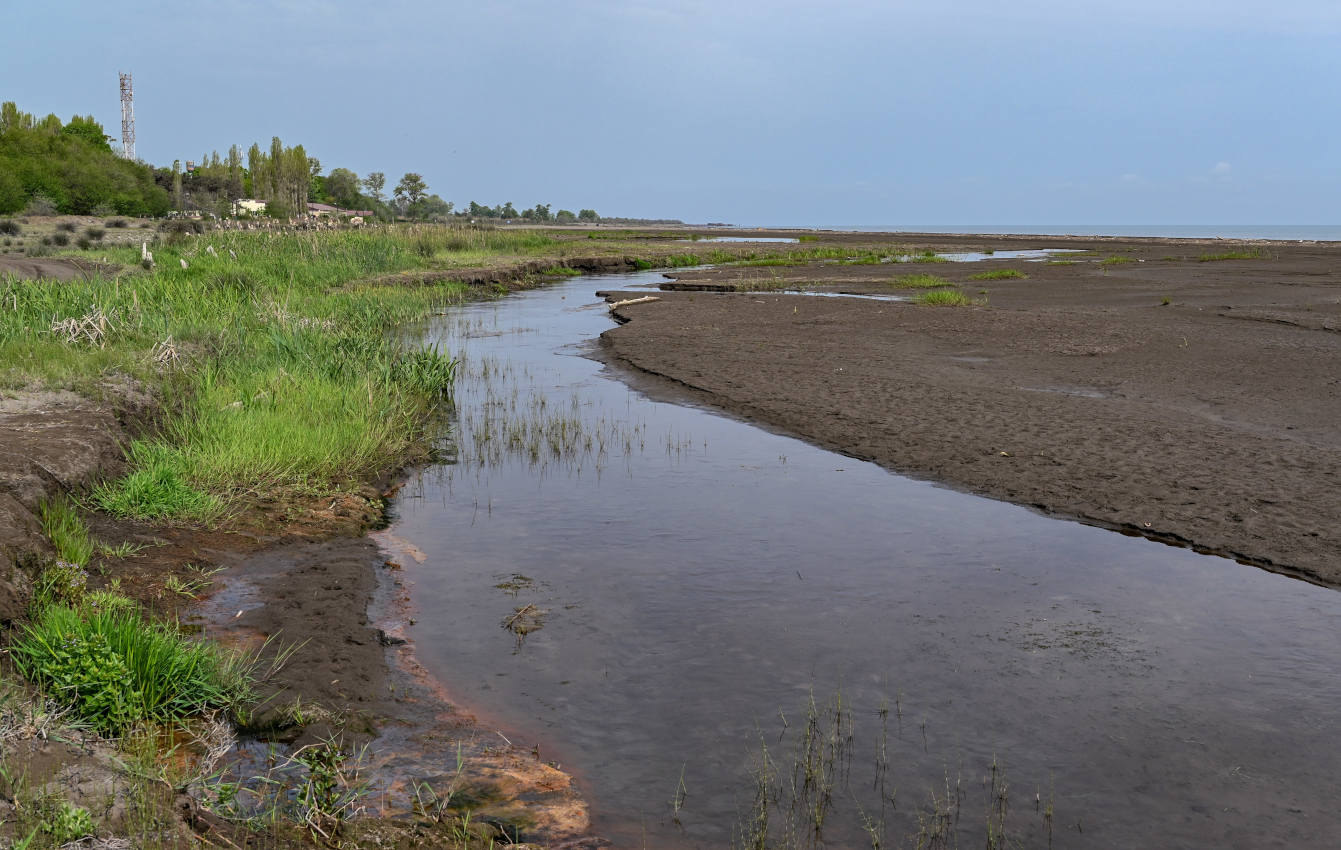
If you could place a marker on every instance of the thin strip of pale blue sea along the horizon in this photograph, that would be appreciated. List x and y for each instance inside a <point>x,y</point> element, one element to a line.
<point>1328,233</point>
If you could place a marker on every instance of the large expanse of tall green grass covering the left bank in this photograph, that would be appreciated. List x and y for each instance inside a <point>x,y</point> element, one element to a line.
<point>289,377</point>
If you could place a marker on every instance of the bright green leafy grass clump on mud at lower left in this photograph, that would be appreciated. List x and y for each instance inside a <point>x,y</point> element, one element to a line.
<point>116,671</point>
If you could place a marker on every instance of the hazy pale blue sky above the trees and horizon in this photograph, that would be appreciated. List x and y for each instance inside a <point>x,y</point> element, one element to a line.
<point>770,113</point>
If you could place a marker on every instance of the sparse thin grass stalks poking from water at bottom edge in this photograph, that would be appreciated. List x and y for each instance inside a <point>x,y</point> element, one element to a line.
<point>799,797</point>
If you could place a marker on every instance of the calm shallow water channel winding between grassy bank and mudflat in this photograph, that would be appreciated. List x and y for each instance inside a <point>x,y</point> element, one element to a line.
<point>691,583</point>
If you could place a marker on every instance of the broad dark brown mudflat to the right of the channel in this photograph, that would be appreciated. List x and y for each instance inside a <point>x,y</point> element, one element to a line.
<point>1183,391</point>
